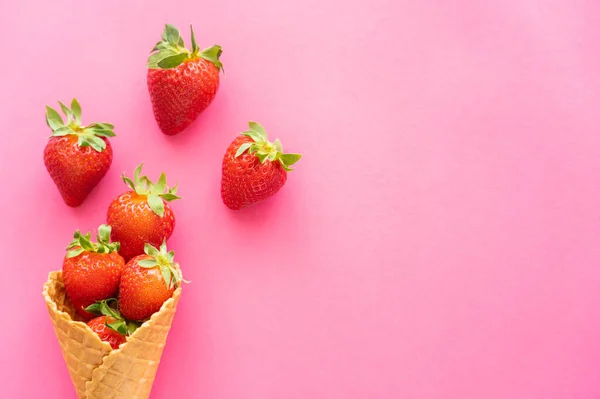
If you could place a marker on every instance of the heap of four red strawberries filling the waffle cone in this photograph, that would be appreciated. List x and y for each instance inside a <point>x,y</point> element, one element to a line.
<point>127,274</point>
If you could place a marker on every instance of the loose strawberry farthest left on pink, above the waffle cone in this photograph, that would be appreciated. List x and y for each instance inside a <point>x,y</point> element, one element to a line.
<point>76,156</point>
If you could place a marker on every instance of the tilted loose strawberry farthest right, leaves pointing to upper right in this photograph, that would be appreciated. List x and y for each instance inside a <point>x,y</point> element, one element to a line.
<point>254,169</point>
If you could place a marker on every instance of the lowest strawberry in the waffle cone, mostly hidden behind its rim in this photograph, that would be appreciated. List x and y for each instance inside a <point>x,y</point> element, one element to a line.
<point>111,327</point>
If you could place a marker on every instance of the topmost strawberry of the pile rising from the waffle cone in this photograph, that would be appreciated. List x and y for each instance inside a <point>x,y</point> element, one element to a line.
<point>142,216</point>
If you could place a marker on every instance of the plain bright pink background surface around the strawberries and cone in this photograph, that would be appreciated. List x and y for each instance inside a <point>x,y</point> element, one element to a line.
<point>439,239</point>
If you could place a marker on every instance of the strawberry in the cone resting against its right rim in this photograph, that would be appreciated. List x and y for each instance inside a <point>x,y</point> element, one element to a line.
<point>147,282</point>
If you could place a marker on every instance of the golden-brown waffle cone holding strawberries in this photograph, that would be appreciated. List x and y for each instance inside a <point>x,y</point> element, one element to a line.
<point>97,371</point>
